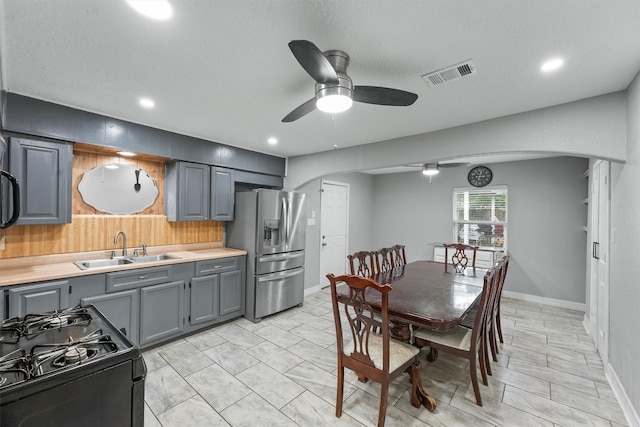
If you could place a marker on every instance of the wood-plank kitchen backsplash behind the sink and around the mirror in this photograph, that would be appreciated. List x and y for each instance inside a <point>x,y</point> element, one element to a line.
<point>94,231</point>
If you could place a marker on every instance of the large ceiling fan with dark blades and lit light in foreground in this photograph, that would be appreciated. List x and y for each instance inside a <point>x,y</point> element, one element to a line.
<point>334,90</point>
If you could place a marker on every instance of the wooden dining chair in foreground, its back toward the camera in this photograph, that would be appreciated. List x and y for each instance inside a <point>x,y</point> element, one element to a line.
<point>371,355</point>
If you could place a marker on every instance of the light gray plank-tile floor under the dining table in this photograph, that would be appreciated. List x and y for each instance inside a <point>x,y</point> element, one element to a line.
<point>281,372</point>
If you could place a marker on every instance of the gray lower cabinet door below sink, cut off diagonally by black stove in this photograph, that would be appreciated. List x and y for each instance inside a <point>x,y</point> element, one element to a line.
<point>121,308</point>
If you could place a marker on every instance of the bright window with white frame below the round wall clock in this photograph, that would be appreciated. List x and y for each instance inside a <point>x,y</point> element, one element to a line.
<point>480,216</point>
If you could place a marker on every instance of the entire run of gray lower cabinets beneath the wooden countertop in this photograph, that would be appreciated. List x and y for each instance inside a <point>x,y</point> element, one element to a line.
<point>151,304</point>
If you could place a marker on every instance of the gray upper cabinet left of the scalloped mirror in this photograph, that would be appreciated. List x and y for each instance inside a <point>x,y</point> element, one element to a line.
<point>43,170</point>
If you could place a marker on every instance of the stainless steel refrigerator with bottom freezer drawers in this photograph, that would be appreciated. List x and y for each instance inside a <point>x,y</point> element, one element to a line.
<point>270,225</point>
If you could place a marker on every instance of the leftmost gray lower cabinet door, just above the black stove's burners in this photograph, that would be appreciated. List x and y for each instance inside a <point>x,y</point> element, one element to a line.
<point>38,298</point>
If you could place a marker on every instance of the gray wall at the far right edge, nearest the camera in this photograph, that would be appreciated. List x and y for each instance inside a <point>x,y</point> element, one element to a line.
<point>624,282</point>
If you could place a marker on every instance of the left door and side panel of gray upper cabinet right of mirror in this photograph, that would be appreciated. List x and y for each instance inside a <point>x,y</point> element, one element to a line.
<point>187,191</point>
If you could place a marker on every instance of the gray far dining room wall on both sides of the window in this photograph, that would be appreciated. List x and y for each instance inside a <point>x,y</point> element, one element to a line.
<point>547,214</point>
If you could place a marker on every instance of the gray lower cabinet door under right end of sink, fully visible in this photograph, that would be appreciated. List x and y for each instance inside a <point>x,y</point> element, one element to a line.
<point>161,311</point>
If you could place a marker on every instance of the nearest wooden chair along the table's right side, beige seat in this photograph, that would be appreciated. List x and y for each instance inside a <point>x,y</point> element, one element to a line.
<point>463,342</point>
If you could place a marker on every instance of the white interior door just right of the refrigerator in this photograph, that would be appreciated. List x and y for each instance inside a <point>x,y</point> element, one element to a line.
<point>334,221</point>
